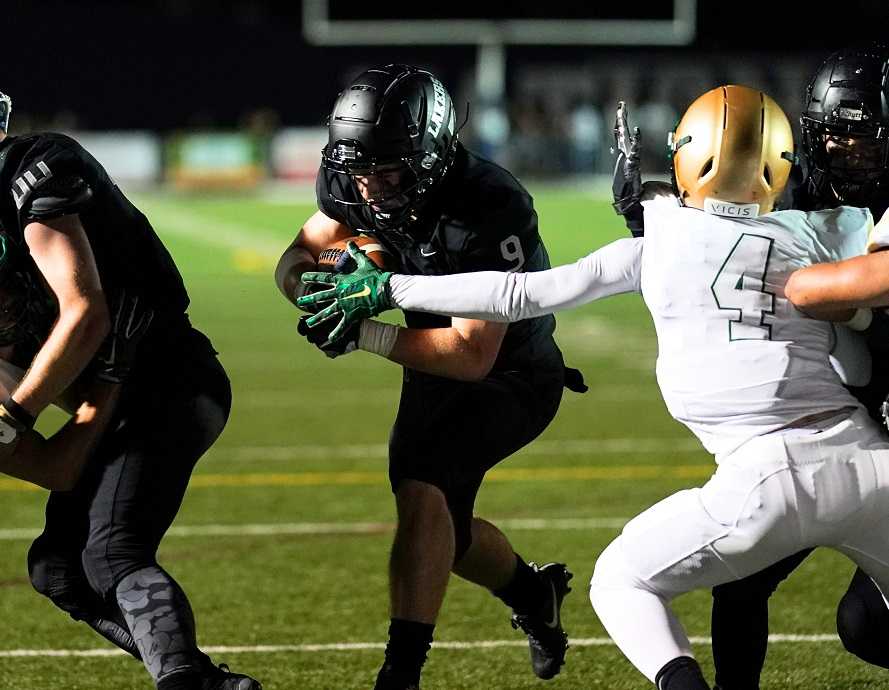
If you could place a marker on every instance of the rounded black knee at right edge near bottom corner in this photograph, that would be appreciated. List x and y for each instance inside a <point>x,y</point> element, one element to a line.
<point>863,622</point>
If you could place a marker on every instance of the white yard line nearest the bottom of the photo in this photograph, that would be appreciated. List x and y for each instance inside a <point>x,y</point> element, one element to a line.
<point>364,646</point>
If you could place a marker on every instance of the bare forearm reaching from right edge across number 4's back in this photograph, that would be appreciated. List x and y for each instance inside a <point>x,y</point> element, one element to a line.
<point>862,281</point>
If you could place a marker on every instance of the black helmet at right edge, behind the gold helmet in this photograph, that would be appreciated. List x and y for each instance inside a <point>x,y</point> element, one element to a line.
<point>845,127</point>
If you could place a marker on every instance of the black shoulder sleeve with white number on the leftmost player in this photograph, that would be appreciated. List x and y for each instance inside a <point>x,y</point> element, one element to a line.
<point>54,179</point>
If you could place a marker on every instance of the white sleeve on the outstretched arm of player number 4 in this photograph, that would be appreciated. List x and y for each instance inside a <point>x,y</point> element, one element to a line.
<point>494,296</point>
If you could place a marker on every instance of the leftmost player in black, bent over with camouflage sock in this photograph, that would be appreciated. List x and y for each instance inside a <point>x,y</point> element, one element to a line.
<point>82,246</point>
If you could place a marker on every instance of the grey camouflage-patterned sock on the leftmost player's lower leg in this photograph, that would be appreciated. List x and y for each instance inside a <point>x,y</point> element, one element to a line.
<point>161,622</point>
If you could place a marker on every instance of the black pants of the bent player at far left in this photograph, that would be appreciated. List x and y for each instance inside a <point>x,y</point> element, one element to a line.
<point>111,524</point>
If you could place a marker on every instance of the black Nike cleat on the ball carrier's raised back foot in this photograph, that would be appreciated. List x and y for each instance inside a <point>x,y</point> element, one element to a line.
<point>547,642</point>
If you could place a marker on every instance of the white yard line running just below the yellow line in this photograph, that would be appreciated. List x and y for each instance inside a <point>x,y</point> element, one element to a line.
<point>318,528</point>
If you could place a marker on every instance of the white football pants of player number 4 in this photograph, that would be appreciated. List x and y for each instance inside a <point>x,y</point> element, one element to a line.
<point>774,496</point>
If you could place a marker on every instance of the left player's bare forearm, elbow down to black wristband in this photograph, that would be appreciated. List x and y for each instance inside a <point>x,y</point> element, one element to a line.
<point>71,344</point>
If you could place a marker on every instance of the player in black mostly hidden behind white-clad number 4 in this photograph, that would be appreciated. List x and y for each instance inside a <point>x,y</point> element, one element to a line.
<point>845,129</point>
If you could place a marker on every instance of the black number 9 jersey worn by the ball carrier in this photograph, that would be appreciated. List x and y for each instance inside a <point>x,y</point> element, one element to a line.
<point>481,219</point>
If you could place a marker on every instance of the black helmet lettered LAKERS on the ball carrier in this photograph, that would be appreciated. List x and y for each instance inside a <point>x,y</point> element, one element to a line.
<point>392,138</point>
